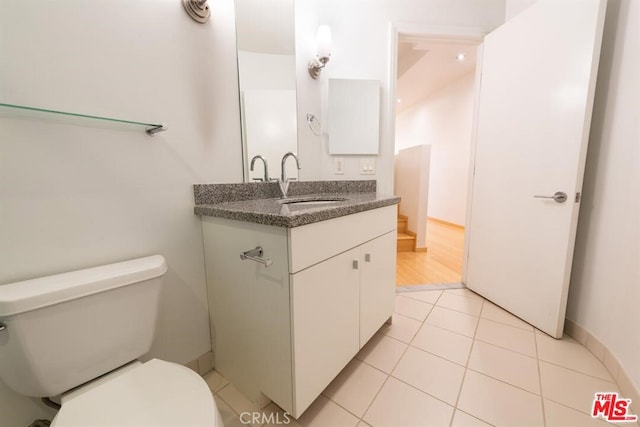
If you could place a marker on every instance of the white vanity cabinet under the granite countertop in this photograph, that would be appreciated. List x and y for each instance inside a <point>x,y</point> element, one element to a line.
<point>286,331</point>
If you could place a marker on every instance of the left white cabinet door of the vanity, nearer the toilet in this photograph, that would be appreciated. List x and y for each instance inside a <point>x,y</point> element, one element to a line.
<point>324,303</point>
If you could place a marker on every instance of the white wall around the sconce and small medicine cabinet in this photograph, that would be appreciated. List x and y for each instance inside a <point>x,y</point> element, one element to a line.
<point>361,44</point>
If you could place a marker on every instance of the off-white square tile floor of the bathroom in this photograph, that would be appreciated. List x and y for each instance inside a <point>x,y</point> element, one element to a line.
<point>450,358</point>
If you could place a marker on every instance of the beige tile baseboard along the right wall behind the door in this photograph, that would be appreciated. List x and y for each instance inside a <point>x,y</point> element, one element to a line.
<point>628,388</point>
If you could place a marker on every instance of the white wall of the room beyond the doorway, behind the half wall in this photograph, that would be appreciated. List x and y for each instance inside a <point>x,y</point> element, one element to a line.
<point>443,120</point>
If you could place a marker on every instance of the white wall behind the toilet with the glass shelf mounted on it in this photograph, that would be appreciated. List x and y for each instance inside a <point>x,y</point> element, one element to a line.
<point>78,196</point>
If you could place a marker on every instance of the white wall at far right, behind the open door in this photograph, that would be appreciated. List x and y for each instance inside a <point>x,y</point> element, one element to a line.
<point>605,286</point>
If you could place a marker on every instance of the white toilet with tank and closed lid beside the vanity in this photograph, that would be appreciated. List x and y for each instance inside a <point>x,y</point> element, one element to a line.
<point>79,335</point>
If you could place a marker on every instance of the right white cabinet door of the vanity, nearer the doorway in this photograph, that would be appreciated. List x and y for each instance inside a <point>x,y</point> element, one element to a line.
<point>377,284</point>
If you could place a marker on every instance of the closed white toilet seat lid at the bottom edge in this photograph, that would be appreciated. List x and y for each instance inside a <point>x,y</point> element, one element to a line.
<point>155,393</point>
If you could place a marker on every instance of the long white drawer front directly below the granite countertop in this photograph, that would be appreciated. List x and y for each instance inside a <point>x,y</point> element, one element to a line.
<point>313,243</point>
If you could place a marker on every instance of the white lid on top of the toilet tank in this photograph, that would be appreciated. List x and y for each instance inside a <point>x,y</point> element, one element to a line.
<point>20,297</point>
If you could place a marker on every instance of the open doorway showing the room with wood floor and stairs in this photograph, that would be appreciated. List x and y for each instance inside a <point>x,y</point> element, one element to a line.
<point>436,92</point>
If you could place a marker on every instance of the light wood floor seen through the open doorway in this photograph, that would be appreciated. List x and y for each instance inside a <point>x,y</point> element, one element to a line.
<point>442,263</point>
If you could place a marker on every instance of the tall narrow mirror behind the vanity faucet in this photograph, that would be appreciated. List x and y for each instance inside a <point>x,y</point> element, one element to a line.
<point>267,80</point>
